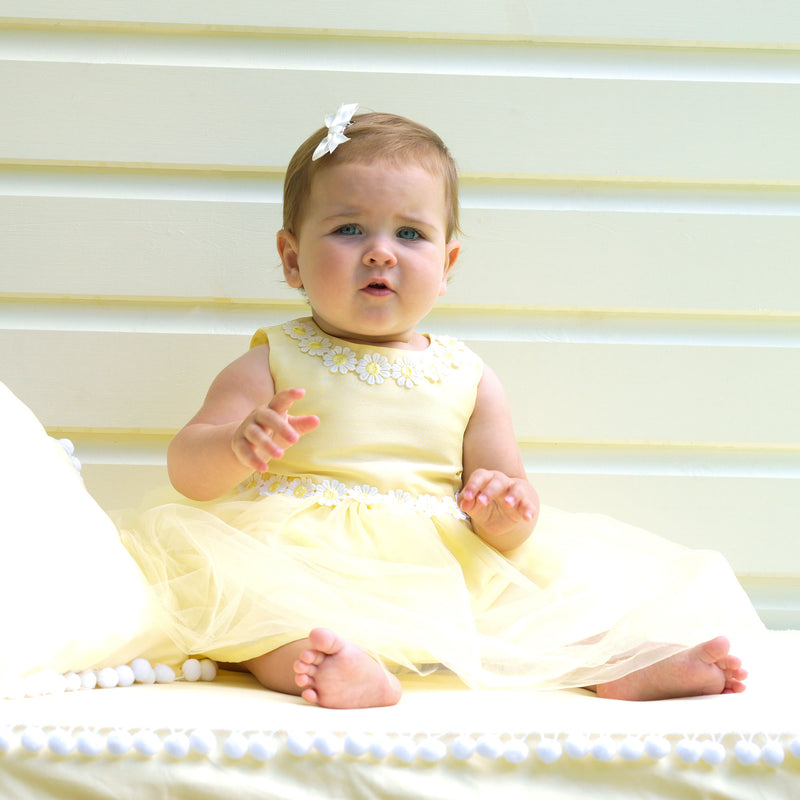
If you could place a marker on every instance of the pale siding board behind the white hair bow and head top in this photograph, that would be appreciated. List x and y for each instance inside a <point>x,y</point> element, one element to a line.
<point>225,116</point>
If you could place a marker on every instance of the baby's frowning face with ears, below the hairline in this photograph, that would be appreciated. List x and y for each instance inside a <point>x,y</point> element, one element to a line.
<point>372,252</point>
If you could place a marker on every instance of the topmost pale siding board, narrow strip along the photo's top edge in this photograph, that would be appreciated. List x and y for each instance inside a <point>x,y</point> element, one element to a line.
<point>769,21</point>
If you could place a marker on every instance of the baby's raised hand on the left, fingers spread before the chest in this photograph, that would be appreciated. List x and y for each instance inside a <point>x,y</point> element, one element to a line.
<point>269,429</point>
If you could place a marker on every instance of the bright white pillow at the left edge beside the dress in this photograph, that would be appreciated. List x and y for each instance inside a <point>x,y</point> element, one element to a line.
<point>71,597</point>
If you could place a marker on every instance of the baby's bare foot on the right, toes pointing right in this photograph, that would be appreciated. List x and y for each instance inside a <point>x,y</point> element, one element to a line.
<point>707,668</point>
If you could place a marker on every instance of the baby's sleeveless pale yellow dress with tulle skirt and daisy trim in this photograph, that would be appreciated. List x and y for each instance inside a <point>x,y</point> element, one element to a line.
<point>357,529</point>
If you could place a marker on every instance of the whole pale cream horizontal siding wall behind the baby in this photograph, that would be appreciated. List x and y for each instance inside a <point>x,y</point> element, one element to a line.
<point>631,193</point>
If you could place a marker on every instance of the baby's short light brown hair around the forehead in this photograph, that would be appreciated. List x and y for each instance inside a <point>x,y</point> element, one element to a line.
<point>373,137</point>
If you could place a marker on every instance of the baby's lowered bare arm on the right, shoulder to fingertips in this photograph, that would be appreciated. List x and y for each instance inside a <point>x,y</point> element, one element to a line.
<point>496,493</point>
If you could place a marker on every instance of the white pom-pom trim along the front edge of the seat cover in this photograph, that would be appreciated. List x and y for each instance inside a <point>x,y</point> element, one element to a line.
<point>259,747</point>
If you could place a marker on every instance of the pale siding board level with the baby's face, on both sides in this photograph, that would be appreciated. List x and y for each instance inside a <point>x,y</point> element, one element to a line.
<point>624,247</point>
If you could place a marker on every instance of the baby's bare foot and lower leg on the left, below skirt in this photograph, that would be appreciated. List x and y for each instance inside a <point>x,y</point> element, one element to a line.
<point>327,670</point>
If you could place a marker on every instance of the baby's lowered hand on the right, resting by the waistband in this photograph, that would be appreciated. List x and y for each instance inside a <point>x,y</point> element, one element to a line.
<point>499,504</point>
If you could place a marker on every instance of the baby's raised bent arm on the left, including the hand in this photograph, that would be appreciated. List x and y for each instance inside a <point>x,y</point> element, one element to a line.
<point>242,424</point>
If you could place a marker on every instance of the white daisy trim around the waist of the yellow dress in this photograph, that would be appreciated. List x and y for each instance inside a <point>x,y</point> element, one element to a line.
<point>332,493</point>
